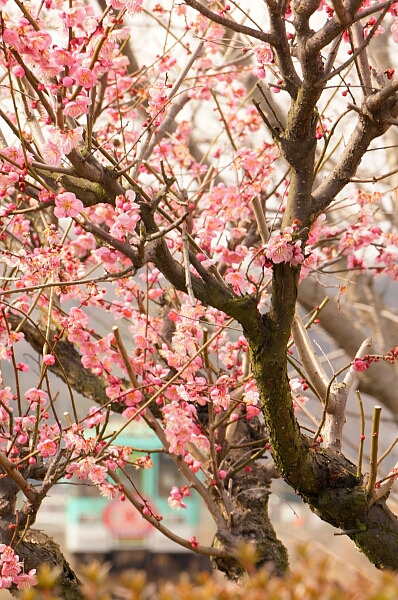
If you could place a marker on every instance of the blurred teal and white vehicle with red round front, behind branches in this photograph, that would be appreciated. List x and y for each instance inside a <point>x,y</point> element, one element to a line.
<point>114,530</point>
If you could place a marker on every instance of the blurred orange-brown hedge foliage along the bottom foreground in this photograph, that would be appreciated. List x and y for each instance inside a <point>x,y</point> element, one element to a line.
<point>314,577</point>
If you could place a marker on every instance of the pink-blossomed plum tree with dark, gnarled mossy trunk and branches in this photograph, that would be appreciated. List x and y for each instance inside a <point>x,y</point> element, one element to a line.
<point>142,182</point>
